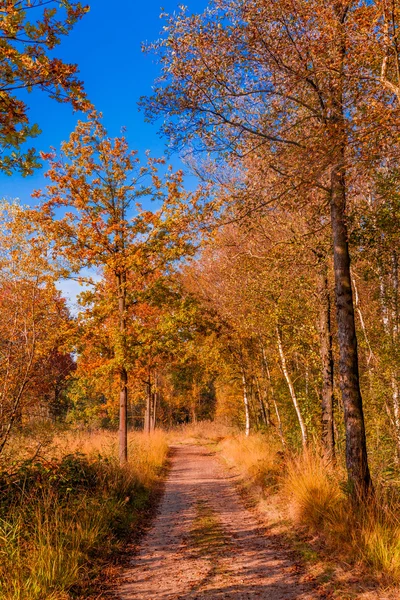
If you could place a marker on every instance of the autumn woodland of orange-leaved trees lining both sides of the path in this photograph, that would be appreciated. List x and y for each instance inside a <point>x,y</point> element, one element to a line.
<point>265,300</point>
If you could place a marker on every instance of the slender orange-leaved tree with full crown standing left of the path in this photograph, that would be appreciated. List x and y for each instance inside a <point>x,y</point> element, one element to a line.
<point>101,182</point>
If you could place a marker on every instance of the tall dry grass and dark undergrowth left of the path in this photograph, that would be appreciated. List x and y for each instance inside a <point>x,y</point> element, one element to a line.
<point>65,512</point>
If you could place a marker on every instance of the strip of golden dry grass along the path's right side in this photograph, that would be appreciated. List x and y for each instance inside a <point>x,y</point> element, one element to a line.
<point>313,492</point>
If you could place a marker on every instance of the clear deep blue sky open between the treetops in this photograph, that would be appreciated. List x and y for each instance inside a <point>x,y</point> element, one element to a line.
<point>106,45</point>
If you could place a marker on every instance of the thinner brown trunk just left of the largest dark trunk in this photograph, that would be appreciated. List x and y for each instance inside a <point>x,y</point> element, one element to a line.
<point>327,420</point>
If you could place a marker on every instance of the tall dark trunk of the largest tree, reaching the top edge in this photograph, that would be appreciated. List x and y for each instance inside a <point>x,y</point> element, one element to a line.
<point>356,447</point>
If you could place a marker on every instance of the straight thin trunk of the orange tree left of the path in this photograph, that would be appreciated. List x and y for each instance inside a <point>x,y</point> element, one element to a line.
<point>123,394</point>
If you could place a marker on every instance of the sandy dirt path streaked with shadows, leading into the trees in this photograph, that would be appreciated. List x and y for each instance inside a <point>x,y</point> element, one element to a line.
<point>205,544</point>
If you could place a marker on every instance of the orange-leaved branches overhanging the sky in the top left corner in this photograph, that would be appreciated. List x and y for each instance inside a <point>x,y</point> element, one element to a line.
<point>29,32</point>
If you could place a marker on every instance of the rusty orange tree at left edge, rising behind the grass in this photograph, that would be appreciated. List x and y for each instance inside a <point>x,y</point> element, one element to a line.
<point>34,322</point>
